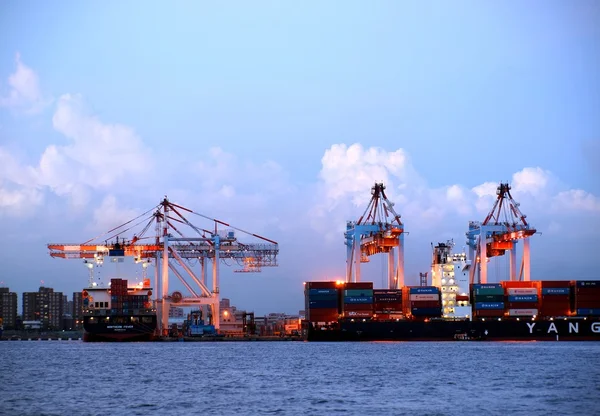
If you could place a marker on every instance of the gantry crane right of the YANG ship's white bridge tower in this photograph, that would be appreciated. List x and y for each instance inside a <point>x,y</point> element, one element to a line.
<point>503,227</point>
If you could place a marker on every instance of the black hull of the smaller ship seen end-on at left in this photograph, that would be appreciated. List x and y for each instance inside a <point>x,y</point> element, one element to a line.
<point>120,328</point>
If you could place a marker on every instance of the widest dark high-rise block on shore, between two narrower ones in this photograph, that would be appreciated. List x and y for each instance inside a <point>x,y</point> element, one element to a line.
<point>45,306</point>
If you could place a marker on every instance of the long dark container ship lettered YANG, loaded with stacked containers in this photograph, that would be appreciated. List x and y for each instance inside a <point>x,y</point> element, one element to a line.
<point>509,310</point>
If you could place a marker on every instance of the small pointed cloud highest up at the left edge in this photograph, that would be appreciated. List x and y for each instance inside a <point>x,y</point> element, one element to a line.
<point>24,93</point>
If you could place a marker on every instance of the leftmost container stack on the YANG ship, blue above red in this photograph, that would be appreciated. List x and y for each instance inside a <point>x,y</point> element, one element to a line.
<point>321,301</point>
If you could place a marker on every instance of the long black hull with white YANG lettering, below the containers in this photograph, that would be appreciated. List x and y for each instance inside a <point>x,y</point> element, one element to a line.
<point>505,330</point>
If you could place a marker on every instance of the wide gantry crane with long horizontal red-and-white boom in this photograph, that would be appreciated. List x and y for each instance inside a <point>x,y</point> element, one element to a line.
<point>171,250</point>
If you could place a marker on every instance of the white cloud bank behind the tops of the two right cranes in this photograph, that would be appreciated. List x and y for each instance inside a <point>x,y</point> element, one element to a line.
<point>348,173</point>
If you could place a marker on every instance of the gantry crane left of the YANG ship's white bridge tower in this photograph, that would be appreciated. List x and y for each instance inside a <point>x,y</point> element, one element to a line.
<point>378,230</point>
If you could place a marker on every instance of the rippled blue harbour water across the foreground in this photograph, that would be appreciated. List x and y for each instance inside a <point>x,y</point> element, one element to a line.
<point>296,378</point>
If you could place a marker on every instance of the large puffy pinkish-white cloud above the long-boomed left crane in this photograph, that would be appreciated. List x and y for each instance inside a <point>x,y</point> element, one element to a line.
<point>97,157</point>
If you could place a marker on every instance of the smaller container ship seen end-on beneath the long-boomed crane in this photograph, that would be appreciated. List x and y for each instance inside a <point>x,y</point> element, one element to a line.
<point>119,313</point>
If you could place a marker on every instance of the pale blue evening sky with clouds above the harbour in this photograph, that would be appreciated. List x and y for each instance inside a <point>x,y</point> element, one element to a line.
<point>278,118</point>
